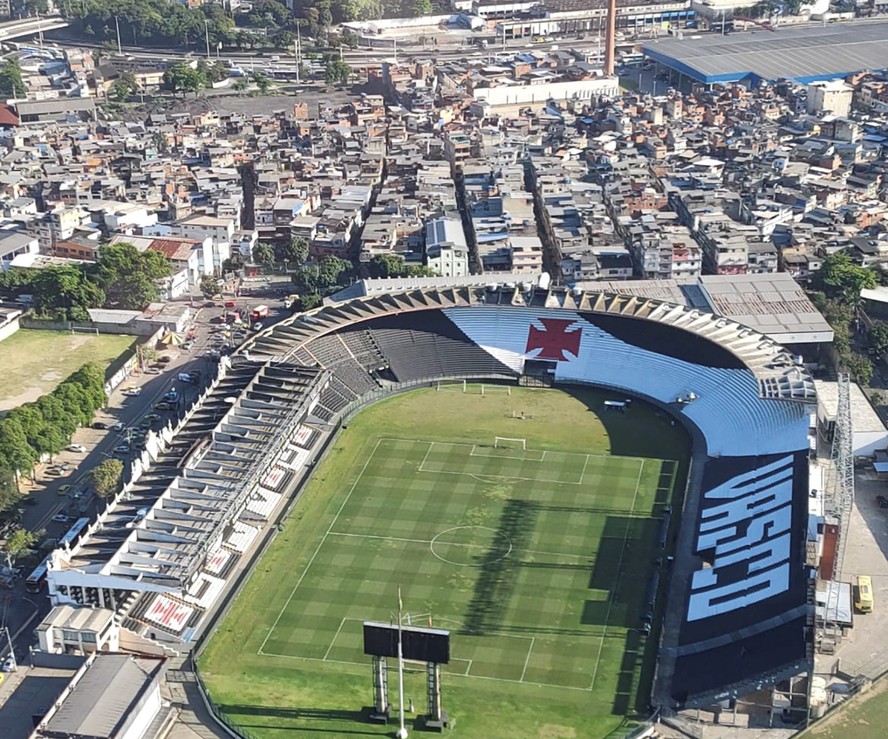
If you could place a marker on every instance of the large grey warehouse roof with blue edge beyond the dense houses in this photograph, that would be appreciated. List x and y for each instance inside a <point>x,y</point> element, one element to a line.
<point>802,54</point>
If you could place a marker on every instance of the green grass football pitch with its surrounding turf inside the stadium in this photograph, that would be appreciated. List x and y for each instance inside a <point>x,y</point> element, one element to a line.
<point>536,559</point>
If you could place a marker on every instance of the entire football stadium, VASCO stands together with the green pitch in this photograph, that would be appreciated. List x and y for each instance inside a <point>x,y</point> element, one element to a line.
<point>596,503</point>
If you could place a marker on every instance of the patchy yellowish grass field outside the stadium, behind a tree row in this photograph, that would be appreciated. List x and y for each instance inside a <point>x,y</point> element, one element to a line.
<point>34,362</point>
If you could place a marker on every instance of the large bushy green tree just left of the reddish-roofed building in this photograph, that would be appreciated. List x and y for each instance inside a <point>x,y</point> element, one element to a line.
<point>129,277</point>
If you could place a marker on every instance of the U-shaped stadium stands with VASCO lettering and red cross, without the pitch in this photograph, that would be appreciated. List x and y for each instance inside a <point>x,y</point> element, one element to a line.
<point>739,614</point>
